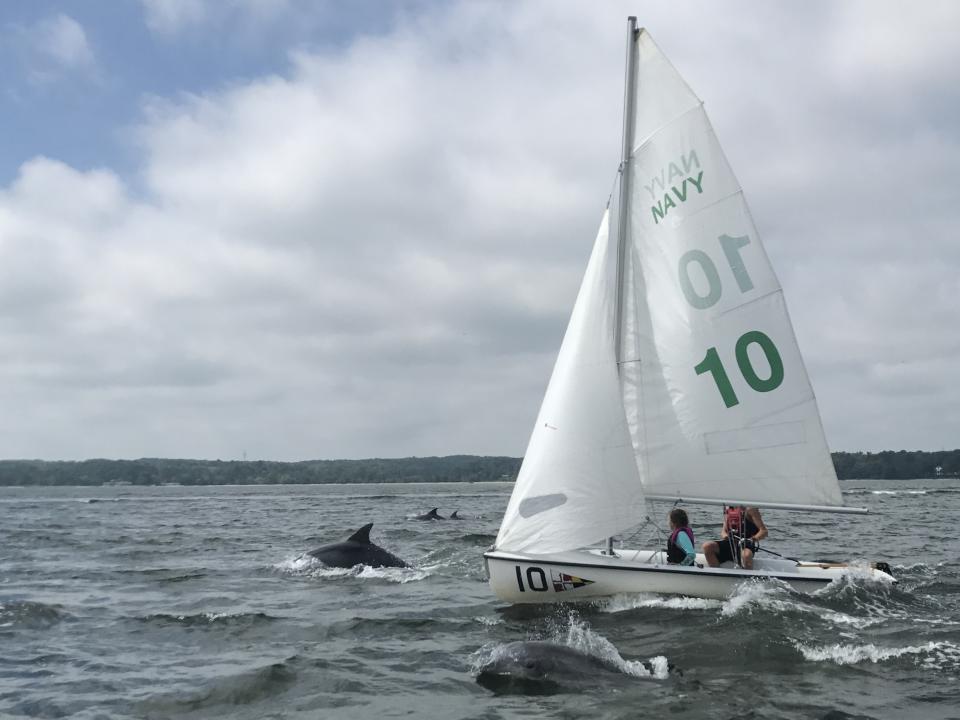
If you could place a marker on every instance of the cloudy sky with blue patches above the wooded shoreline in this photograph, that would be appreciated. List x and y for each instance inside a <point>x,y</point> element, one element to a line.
<point>287,230</point>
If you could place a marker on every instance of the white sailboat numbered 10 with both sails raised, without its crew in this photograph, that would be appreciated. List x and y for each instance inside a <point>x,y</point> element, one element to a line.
<point>679,377</point>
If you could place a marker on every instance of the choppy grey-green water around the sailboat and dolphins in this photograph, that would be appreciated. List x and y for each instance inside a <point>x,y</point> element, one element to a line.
<point>198,602</point>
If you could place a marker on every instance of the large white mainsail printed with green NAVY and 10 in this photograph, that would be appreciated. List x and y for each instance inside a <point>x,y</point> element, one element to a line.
<point>716,393</point>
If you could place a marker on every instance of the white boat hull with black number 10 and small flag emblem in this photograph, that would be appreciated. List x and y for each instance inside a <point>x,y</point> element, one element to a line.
<point>591,574</point>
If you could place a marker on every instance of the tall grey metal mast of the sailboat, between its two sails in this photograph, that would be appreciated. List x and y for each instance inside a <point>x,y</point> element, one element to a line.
<point>629,121</point>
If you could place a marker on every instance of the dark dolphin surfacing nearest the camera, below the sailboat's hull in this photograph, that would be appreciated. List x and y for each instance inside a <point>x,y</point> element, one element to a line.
<point>545,668</point>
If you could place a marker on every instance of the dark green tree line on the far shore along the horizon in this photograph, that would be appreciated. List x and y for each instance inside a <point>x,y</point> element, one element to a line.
<point>886,465</point>
